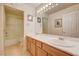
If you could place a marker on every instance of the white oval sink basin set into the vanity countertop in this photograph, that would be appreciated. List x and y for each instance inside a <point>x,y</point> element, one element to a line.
<point>64,43</point>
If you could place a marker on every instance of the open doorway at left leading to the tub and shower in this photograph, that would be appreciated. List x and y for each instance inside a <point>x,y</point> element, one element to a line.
<point>14,31</point>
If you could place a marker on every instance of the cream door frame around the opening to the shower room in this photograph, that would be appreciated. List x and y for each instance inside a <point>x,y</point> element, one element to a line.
<point>4,25</point>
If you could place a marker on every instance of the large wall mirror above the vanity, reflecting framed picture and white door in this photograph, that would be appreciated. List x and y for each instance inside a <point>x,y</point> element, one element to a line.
<point>63,21</point>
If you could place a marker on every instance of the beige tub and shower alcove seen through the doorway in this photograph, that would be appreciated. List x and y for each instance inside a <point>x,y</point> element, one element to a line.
<point>14,29</point>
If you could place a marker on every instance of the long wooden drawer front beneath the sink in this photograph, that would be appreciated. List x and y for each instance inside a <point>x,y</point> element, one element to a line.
<point>53,51</point>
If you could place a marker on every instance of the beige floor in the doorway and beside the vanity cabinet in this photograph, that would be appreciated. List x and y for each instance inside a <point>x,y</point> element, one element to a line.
<point>15,50</point>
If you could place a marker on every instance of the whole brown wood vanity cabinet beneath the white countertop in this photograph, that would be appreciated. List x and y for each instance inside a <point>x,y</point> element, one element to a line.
<point>38,48</point>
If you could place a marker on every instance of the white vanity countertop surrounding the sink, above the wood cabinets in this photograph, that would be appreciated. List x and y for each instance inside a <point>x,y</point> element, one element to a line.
<point>46,39</point>
